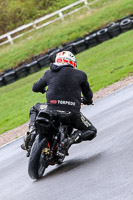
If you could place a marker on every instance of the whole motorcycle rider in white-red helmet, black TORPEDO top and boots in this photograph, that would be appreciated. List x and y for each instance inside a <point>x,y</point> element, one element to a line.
<point>65,84</point>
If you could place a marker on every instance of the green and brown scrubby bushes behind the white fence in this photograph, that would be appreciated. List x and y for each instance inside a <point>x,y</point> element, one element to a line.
<point>15,13</point>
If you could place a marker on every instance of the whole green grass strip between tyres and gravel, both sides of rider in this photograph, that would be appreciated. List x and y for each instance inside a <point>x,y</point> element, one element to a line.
<point>104,65</point>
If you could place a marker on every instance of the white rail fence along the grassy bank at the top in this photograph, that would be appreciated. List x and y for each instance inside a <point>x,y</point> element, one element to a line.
<point>10,36</point>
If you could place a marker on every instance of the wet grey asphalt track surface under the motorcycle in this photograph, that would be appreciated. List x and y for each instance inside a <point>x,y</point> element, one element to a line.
<point>98,170</point>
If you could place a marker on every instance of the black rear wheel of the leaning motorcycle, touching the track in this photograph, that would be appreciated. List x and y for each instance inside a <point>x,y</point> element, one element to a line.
<point>37,163</point>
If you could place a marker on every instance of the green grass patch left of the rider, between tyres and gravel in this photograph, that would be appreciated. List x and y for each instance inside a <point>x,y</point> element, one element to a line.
<point>16,100</point>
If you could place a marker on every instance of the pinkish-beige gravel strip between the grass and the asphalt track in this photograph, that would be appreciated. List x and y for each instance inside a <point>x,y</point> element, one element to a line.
<point>20,130</point>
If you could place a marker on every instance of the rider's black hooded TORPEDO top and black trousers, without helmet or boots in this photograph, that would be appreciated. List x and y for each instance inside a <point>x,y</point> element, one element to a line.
<point>65,85</point>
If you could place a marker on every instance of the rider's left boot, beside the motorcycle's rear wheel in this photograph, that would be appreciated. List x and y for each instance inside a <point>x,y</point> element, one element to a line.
<point>29,138</point>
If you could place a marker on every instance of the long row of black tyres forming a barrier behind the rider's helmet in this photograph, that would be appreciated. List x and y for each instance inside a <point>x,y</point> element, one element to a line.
<point>76,46</point>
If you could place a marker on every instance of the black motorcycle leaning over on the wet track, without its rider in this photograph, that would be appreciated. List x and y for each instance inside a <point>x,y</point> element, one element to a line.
<point>47,147</point>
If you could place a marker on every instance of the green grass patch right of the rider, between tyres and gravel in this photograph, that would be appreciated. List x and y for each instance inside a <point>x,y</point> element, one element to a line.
<point>108,62</point>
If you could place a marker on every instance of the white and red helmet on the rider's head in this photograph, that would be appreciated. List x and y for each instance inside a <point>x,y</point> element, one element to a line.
<point>66,57</point>
